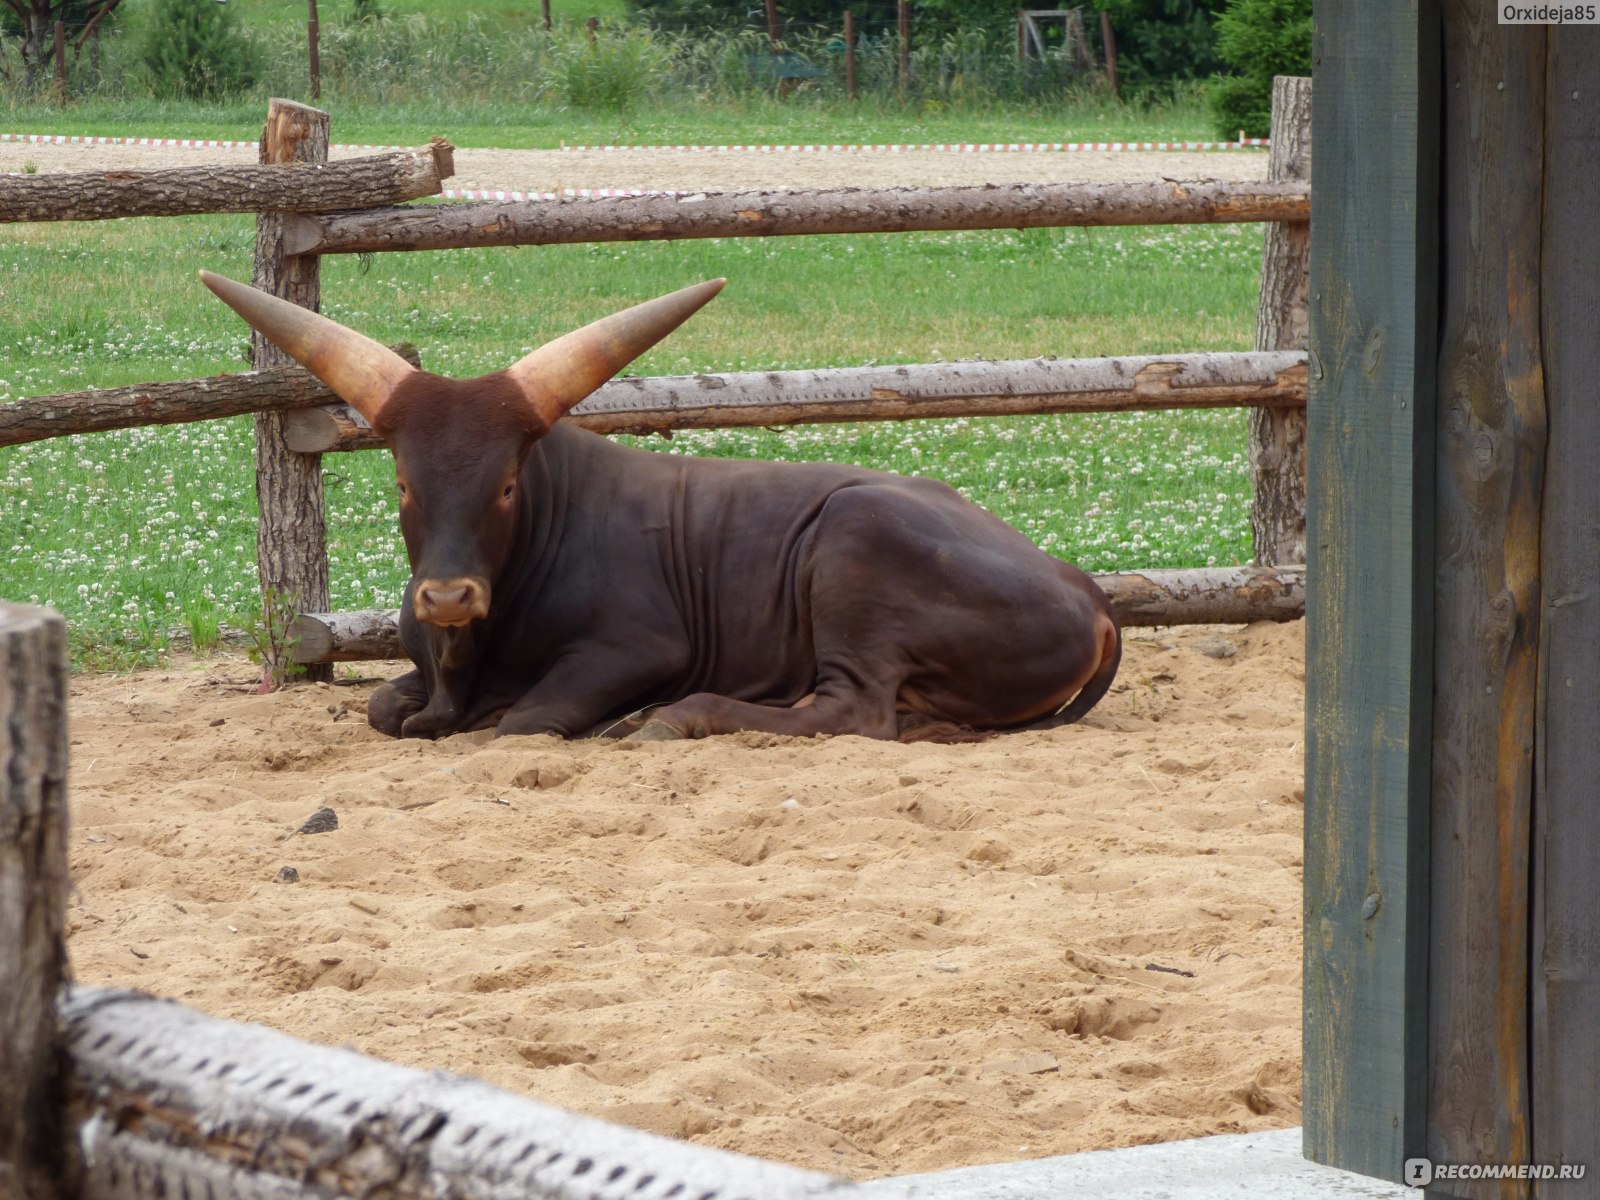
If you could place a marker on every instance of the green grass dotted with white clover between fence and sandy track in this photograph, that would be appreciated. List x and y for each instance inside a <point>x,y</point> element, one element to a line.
<point>142,535</point>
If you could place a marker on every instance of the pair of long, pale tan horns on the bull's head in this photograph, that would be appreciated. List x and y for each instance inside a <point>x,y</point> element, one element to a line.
<point>550,382</point>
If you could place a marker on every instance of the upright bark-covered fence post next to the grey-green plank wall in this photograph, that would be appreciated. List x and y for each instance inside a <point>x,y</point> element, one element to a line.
<point>1278,438</point>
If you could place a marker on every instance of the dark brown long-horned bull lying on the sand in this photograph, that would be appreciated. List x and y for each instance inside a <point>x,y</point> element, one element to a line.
<point>562,583</point>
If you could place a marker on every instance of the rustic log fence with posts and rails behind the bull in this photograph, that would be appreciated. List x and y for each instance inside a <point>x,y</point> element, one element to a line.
<point>310,207</point>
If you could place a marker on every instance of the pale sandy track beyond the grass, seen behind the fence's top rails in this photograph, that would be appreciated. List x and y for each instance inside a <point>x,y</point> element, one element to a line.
<point>711,170</point>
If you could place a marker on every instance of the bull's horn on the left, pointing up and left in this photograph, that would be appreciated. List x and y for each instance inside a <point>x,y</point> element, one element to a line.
<point>362,372</point>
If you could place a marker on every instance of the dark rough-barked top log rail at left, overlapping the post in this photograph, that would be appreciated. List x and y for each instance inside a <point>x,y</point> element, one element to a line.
<point>180,191</point>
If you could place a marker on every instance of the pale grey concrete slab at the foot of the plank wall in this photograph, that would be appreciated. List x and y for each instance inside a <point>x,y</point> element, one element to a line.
<point>1206,1169</point>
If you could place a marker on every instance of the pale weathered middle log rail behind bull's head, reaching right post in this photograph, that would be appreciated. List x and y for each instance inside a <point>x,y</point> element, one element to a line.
<point>660,404</point>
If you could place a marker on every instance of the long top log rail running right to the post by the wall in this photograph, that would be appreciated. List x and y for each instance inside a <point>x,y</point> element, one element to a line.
<point>842,210</point>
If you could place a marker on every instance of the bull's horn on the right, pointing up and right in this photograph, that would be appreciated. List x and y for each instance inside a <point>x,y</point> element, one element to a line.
<point>561,374</point>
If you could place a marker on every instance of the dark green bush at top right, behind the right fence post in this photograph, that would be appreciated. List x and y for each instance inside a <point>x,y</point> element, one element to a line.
<point>1258,39</point>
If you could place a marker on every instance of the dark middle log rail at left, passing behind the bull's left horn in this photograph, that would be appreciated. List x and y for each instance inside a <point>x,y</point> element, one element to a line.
<point>278,390</point>
